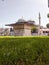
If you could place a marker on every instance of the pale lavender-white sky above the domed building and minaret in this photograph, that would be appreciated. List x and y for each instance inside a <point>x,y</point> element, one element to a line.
<point>12,10</point>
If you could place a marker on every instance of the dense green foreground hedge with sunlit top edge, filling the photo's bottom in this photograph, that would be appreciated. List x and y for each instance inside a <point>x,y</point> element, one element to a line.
<point>24,50</point>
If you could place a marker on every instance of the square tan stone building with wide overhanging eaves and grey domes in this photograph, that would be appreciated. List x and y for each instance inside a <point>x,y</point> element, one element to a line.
<point>22,27</point>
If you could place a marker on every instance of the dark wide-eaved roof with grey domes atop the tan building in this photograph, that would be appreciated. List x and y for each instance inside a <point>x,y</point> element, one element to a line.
<point>22,21</point>
